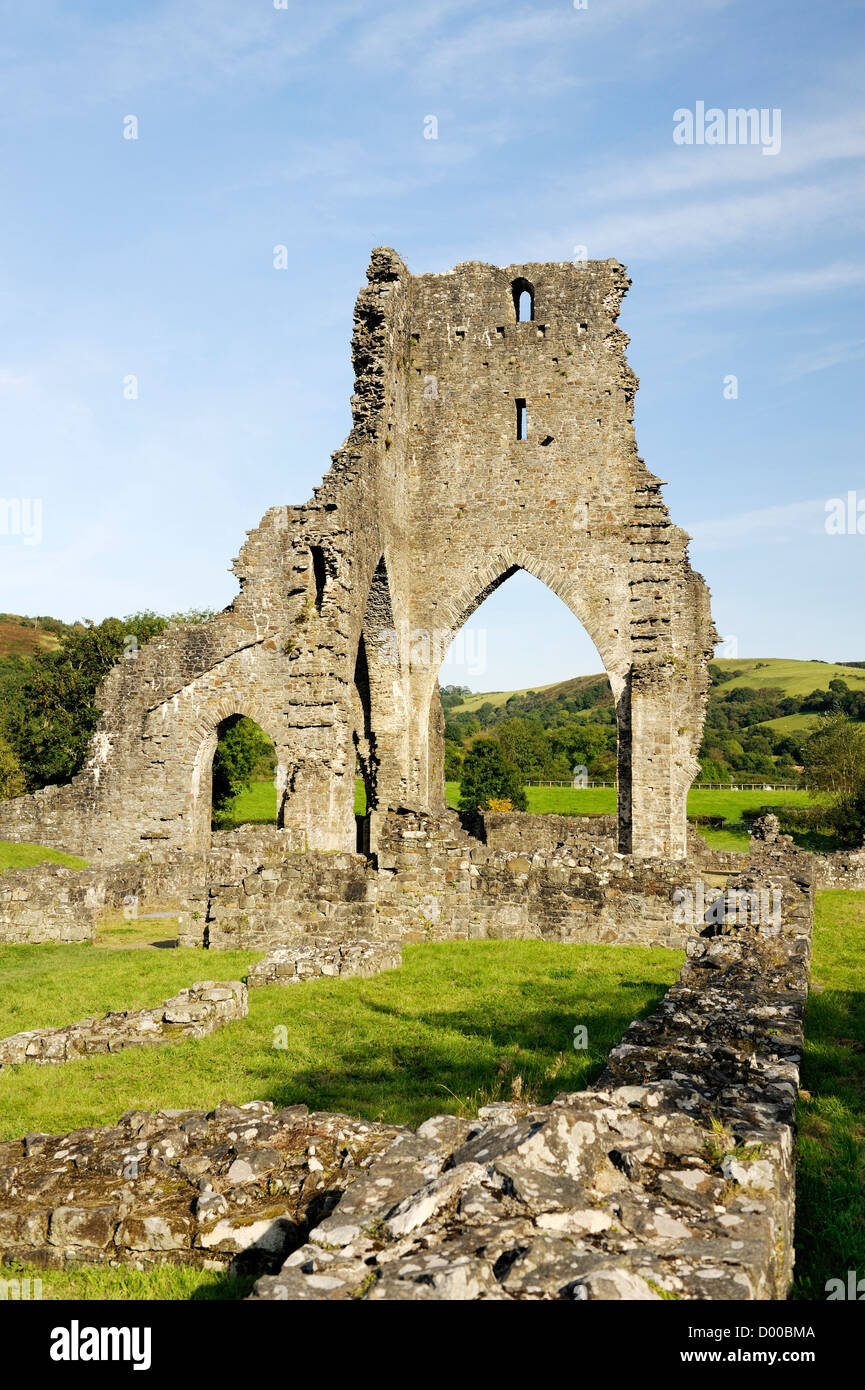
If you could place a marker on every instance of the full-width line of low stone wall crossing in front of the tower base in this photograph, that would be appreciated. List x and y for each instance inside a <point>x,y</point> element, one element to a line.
<point>430,882</point>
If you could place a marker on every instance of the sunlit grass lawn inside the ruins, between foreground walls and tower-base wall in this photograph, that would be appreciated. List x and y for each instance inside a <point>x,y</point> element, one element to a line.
<point>450,1031</point>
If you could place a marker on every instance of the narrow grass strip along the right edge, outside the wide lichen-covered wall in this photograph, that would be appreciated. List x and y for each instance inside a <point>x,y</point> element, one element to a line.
<point>831,1175</point>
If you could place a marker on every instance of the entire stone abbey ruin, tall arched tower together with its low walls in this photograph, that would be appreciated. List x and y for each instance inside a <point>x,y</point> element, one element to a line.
<point>493,432</point>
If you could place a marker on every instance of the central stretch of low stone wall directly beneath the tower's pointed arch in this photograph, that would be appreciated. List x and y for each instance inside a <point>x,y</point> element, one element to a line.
<point>435,883</point>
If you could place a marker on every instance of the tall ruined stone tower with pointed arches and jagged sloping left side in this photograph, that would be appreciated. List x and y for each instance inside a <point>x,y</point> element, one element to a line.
<point>493,432</point>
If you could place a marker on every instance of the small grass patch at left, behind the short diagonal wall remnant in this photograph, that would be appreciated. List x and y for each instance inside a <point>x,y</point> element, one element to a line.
<point>48,986</point>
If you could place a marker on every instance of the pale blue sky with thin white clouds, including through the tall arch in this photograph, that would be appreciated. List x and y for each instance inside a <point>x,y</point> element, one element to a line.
<point>305,127</point>
